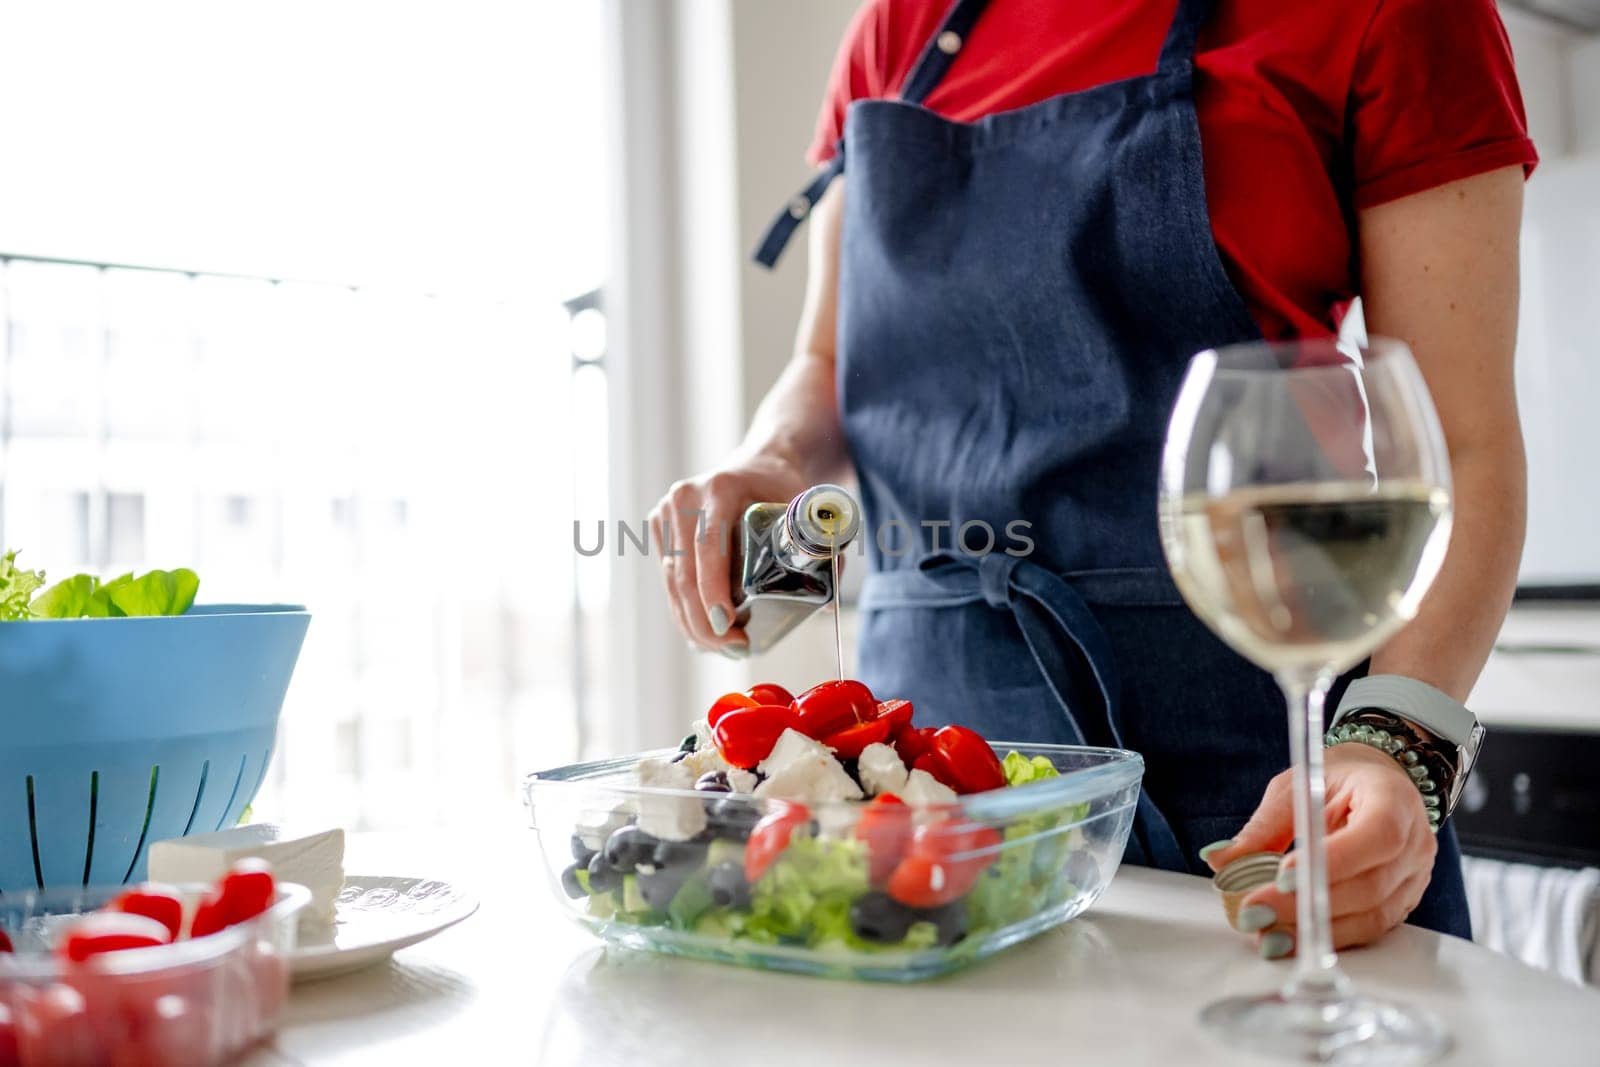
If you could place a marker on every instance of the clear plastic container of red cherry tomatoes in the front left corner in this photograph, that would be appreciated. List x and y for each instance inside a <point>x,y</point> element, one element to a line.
<point>191,1002</point>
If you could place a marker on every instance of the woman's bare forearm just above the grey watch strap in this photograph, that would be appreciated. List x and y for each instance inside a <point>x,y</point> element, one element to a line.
<point>1455,629</point>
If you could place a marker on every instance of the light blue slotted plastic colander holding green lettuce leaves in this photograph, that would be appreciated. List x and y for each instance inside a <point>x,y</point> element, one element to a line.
<point>116,733</point>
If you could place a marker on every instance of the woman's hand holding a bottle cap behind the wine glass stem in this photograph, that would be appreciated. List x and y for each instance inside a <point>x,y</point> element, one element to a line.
<point>1380,852</point>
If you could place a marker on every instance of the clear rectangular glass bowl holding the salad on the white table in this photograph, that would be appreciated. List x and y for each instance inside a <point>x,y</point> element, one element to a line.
<point>999,868</point>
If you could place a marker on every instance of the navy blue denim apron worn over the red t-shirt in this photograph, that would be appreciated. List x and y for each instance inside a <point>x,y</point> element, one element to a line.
<point>1017,305</point>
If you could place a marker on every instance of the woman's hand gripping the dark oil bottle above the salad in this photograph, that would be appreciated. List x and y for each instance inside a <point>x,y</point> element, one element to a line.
<point>697,526</point>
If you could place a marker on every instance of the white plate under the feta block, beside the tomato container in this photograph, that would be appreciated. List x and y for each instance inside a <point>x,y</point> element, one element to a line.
<point>375,919</point>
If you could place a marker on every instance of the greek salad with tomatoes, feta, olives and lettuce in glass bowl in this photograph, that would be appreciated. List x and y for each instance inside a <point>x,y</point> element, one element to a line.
<point>823,820</point>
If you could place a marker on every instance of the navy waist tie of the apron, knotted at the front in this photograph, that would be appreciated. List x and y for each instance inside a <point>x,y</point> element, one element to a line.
<point>1065,639</point>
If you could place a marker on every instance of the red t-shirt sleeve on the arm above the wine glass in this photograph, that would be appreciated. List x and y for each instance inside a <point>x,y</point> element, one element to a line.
<point>1434,100</point>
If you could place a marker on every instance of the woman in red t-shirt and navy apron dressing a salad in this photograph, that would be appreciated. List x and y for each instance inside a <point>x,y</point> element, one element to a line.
<point>1028,217</point>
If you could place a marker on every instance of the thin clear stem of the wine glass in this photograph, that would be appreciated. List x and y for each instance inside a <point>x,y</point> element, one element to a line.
<point>1316,965</point>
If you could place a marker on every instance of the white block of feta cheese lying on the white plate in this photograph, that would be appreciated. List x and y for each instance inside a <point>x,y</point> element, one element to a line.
<point>314,860</point>
